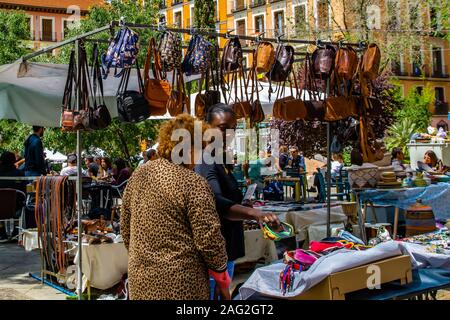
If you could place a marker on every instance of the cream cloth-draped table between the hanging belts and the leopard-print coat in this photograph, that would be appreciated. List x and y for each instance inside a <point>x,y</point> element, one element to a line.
<point>104,264</point>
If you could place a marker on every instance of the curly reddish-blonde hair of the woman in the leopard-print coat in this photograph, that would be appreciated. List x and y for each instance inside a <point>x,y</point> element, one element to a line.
<point>182,121</point>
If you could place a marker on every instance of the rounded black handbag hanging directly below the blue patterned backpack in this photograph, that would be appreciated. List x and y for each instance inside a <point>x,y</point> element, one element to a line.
<point>131,105</point>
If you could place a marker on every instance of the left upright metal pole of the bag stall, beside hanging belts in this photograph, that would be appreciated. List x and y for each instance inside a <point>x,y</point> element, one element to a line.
<point>79,192</point>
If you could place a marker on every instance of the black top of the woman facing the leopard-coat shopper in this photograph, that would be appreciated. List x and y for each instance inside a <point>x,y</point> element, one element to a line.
<point>227,194</point>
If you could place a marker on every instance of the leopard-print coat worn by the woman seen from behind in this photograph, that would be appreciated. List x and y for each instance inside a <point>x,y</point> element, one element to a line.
<point>171,229</point>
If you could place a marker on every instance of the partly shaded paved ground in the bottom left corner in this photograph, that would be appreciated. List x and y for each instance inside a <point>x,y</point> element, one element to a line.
<point>15,283</point>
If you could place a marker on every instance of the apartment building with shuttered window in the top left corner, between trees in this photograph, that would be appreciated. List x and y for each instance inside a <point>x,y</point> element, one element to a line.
<point>49,19</point>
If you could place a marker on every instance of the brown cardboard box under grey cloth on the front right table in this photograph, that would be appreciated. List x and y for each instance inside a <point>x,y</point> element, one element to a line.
<point>336,285</point>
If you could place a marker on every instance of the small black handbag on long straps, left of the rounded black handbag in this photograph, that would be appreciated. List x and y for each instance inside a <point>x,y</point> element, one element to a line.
<point>101,115</point>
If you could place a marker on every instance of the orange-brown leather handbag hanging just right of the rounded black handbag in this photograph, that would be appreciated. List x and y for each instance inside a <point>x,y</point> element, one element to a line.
<point>156,90</point>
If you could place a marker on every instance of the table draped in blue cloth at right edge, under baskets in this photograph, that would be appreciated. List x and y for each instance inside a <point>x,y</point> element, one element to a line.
<point>437,196</point>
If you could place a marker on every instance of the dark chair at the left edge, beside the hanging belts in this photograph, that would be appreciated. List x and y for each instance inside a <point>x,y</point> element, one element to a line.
<point>8,199</point>
